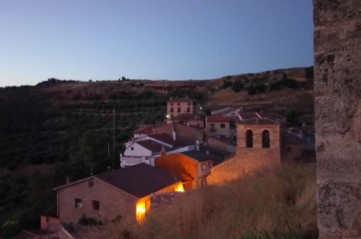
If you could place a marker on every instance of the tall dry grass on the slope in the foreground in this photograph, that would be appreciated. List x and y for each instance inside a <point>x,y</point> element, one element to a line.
<point>272,203</point>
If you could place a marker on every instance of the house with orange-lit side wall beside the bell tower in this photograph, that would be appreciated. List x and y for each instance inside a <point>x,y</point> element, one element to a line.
<point>192,167</point>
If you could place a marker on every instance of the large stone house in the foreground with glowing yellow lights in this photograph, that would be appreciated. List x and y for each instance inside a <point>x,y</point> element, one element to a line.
<point>123,194</point>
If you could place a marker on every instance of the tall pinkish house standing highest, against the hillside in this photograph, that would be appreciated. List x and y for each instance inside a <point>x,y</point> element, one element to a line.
<point>177,107</point>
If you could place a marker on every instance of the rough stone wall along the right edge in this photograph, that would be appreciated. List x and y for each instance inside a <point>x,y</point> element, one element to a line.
<point>337,45</point>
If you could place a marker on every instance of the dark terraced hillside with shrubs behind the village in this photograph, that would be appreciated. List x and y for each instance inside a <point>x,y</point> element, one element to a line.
<point>65,128</point>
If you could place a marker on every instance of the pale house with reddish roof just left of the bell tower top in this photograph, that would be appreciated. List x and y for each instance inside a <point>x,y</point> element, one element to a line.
<point>218,125</point>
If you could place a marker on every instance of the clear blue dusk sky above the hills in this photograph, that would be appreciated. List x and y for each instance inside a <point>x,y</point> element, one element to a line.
<point>150,39</point>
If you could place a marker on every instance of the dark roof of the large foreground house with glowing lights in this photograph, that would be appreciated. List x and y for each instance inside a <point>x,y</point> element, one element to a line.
<point>139,180</point>
